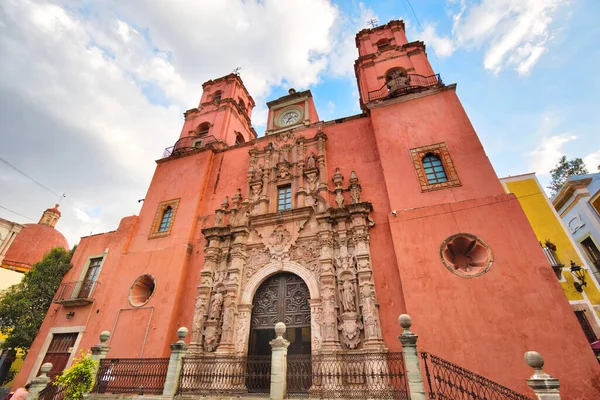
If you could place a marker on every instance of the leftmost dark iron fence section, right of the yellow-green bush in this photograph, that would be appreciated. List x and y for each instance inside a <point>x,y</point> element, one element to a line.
<point>131,375</point>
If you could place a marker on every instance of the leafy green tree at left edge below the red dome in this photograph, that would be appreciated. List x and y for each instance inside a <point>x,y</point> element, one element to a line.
<point>23,306</point>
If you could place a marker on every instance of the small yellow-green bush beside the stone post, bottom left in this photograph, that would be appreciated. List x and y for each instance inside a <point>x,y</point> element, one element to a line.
<point>78,379</point>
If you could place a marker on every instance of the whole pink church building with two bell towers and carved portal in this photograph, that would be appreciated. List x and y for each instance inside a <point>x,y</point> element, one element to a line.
<point>394,210</point>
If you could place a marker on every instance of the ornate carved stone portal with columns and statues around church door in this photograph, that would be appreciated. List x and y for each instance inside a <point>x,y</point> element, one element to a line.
<point>323,240</point>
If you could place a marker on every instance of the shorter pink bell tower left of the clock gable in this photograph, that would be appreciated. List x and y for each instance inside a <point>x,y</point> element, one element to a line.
<point>223,114</point>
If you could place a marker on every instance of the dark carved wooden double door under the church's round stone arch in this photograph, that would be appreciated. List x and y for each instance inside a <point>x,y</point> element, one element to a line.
<point>283,297</point>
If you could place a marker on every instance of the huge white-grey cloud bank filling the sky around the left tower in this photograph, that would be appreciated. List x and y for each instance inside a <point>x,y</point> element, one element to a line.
<point>72,87</point>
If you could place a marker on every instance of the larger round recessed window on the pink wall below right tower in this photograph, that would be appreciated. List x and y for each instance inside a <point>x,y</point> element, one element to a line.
<point>466,255</point>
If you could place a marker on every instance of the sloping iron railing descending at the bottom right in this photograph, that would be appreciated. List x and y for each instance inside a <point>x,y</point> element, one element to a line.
<point>448,381</point>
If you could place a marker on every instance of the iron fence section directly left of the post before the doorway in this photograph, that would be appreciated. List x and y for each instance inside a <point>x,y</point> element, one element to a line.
<point>225,375</point>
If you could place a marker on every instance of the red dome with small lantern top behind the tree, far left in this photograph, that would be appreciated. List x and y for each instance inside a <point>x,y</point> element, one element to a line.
<point>35,240</point>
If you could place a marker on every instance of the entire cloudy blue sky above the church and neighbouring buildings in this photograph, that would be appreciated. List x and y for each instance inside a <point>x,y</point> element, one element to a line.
<point>92,92</point>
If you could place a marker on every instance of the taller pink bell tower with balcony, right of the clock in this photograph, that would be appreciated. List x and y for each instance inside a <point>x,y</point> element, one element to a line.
<point>388,63</point>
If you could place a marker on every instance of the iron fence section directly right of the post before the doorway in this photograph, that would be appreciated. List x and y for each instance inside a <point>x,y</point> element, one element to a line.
<point>359,376</point>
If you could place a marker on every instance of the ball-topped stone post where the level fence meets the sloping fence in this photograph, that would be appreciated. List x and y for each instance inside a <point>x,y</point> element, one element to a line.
<point>411,359</point>
